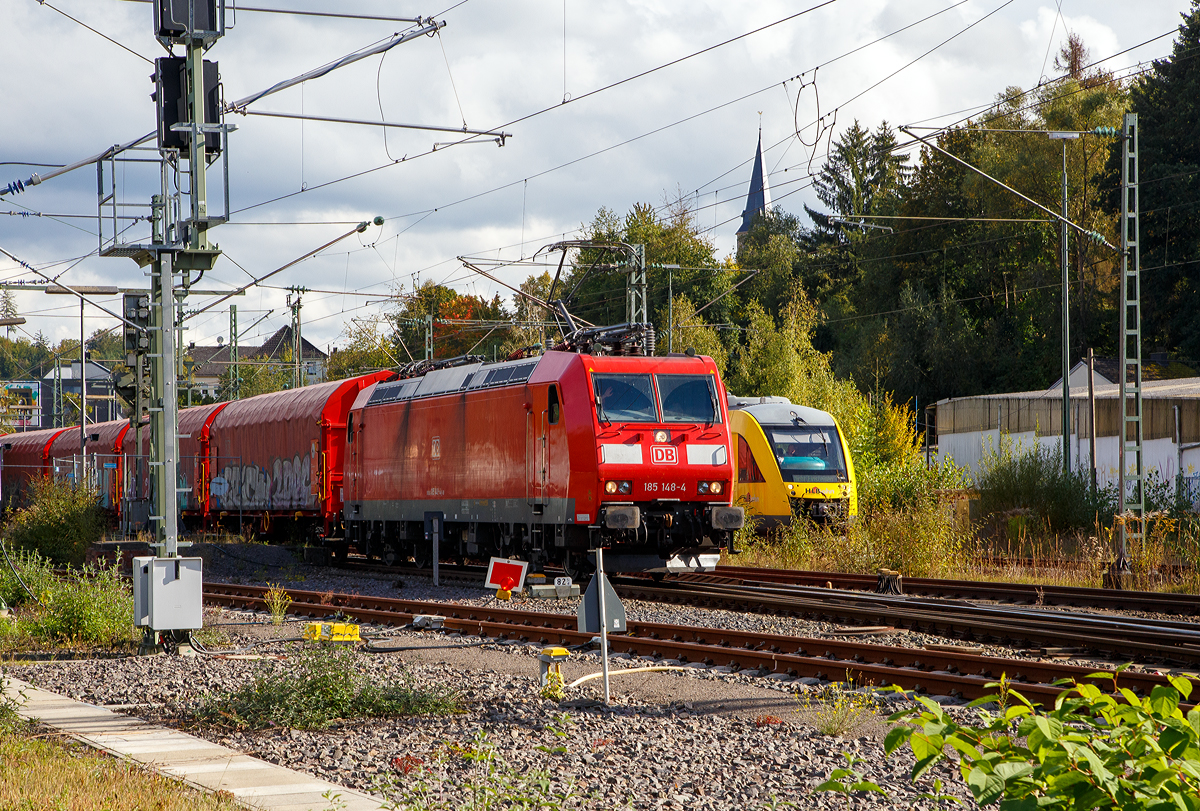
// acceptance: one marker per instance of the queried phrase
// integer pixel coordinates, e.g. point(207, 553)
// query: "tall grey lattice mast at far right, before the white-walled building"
point(1131, 494)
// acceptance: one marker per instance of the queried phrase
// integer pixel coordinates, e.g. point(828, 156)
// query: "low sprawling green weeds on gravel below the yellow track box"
point(321, 686)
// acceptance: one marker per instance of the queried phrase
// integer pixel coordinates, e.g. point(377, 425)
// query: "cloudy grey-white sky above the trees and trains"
point(686, 130)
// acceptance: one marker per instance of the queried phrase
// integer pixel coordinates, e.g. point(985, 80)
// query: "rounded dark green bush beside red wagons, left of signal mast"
point(61, 522)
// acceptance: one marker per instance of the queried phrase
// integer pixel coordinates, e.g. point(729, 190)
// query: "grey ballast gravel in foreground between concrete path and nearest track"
point(692, 740)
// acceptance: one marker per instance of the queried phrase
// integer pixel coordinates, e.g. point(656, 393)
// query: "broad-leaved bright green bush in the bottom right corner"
point(1094, 750)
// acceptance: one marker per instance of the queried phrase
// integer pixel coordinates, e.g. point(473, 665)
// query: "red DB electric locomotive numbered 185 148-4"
point(545, 459)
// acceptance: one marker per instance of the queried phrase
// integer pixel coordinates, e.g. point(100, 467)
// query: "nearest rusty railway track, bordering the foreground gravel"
point(935, 672)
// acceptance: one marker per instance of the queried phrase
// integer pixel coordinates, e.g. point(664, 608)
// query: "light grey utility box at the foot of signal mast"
point(169, 593)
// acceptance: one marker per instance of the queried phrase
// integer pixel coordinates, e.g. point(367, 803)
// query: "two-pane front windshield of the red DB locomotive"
point(632, 399)
